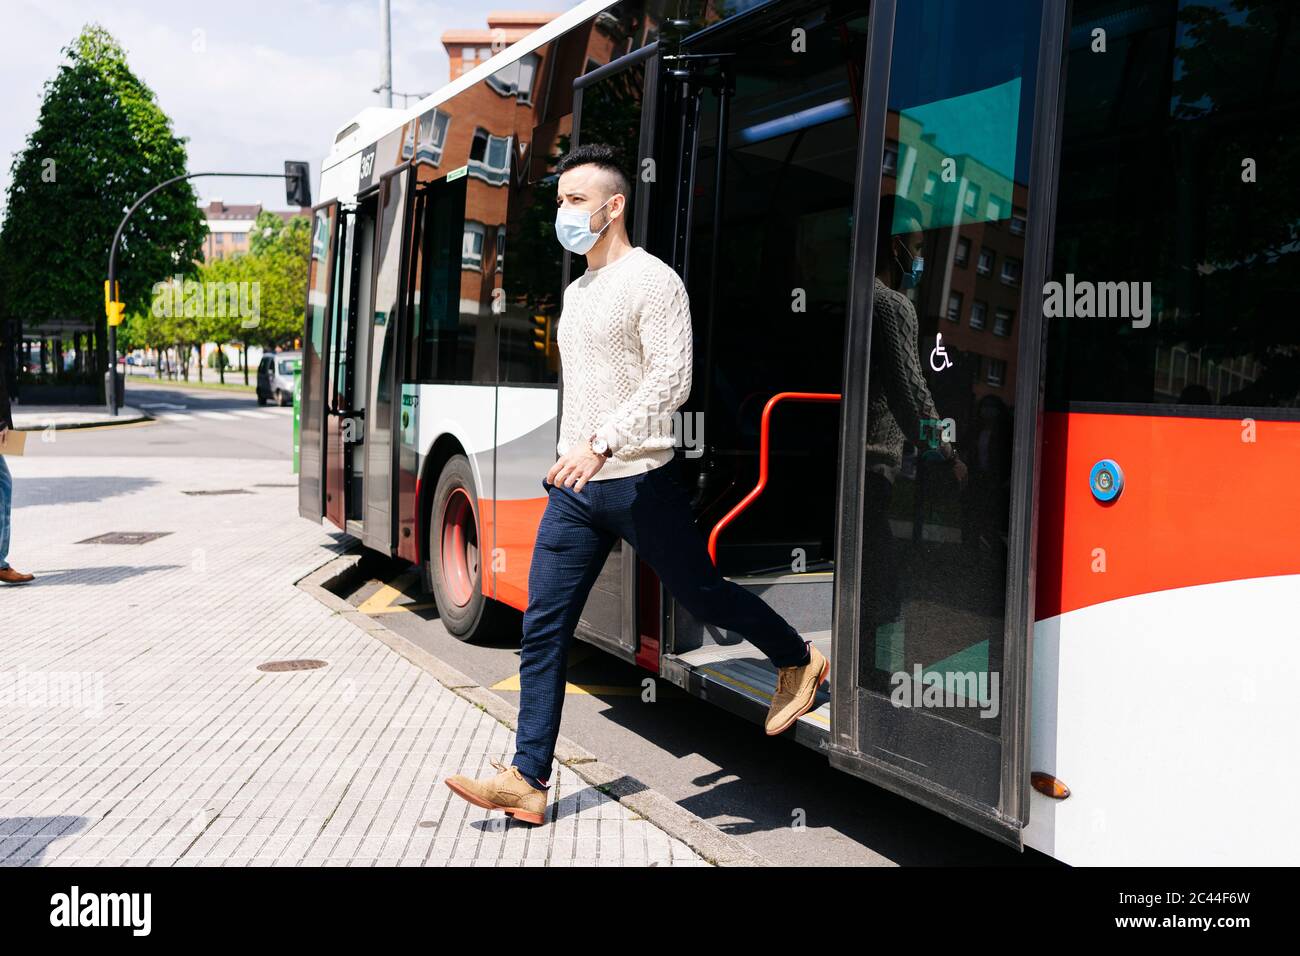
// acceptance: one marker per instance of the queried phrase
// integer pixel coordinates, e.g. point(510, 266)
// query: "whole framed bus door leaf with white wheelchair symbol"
point(942, 406)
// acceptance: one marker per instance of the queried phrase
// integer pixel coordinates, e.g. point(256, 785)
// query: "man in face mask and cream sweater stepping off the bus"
point(626, 345)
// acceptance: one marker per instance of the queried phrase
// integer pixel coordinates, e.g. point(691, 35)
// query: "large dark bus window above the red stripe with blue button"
point(1177, 214)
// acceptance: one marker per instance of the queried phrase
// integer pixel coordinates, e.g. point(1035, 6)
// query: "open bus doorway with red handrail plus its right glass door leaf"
point(794, 126)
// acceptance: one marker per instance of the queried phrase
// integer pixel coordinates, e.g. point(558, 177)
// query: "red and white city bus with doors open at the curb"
point(1084, 638)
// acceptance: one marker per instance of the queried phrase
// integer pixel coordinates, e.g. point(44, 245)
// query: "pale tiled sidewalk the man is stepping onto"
point(136, 728)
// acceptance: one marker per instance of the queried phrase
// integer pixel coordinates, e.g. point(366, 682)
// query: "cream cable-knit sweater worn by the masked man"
point(626, 349)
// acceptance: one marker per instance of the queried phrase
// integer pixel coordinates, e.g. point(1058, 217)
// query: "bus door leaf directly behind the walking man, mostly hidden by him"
point(614, 105)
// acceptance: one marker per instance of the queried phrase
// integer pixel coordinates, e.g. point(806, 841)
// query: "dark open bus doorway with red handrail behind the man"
point(759, 141)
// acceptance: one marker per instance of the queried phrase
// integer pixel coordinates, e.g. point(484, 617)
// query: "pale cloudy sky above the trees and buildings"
point(250, 83)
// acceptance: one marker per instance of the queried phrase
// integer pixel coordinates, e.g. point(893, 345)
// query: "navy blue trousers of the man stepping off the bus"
point(652, 512)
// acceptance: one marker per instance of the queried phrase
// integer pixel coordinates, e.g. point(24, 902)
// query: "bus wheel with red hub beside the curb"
point(456, 557)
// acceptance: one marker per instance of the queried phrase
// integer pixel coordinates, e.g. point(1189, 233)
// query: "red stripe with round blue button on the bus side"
point(1204, 501)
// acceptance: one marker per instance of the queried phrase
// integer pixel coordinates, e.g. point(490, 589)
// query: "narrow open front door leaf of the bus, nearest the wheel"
point(380, 366)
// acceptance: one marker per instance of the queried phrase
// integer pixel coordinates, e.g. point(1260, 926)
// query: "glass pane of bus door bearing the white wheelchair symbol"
point(942, 378)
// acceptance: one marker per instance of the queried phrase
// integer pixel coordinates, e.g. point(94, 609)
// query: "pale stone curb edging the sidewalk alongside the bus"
point(703, 837)
